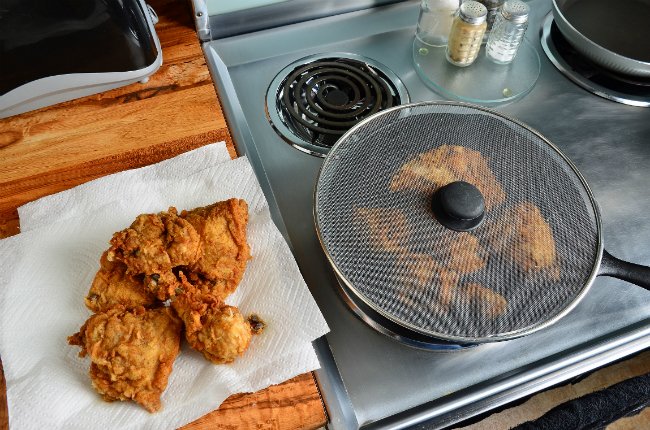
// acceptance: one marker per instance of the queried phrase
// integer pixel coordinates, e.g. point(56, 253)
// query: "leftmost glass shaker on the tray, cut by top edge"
point(435, 21)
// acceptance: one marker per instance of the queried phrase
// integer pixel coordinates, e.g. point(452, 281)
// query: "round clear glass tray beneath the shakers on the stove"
point(483, 82)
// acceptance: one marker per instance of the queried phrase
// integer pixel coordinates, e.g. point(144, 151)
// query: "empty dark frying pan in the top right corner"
point(613, 34)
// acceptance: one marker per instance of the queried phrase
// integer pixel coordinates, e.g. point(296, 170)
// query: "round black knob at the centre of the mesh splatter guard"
point(459, 206)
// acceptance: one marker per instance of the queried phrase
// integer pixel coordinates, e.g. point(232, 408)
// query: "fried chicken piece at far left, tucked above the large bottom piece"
point(112, 286)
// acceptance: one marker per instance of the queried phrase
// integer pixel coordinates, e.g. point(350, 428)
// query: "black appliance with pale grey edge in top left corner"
point(53, 51)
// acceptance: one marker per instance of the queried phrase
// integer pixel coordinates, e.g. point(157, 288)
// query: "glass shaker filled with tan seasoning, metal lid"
point(466, 33)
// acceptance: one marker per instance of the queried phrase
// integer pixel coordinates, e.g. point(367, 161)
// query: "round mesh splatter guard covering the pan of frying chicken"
point(523, 266)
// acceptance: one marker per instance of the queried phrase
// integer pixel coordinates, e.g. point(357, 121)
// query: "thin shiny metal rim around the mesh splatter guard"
point(444, 336)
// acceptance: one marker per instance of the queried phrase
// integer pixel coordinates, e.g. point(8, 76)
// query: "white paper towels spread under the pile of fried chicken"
point(47, 271)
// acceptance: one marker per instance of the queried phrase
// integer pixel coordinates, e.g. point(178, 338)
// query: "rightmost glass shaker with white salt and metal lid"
point(507, 32)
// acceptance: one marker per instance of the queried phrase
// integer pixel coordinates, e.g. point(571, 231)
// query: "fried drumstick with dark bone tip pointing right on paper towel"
point(216, 330)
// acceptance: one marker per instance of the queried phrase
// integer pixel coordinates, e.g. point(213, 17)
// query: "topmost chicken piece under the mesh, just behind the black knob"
point(434, 169)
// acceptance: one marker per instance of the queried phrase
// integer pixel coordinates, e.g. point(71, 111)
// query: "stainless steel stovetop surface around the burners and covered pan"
point(368, 379)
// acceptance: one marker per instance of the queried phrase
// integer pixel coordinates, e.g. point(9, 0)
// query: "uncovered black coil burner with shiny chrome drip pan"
point(315, 100)
